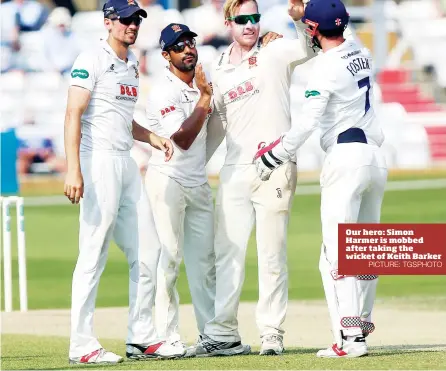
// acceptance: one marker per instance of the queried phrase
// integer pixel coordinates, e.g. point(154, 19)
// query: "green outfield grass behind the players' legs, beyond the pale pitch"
point(50, 261)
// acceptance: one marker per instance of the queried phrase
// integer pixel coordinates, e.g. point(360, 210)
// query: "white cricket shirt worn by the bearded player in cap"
point(171, 101)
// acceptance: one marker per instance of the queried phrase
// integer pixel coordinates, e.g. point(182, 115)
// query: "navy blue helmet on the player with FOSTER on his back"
point(330, 15)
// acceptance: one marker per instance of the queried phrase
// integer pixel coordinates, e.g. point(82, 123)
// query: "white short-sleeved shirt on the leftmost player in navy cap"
point(114, 87)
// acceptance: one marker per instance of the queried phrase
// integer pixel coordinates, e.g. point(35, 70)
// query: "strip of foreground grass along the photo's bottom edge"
point(51, 353)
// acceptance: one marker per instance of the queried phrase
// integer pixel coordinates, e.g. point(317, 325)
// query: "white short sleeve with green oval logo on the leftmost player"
point(84, 71)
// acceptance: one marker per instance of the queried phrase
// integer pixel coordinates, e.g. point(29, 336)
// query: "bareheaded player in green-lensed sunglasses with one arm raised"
point(251, 94)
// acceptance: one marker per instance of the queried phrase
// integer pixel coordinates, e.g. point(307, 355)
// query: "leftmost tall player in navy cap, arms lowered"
point(99, 133)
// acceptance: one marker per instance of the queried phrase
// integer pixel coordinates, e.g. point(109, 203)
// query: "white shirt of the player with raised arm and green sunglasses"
point(254, 96)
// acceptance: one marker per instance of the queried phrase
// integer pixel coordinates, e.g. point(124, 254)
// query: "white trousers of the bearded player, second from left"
point(184, 218)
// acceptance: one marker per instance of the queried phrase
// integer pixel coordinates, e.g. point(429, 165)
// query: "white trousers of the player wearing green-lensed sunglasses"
point(242, 200)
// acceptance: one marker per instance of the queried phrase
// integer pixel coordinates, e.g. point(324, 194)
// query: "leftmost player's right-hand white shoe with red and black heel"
point(160, 350)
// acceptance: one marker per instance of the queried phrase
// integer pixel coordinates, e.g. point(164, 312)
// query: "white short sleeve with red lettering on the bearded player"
point(164, 113)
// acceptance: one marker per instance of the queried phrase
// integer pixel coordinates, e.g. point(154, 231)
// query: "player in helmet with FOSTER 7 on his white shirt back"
point(339, 100)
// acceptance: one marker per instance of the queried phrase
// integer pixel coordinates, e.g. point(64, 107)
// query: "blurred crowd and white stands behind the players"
point(41, 39)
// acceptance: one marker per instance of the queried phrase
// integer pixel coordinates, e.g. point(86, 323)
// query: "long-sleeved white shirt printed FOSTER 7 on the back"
point(339, 96)
